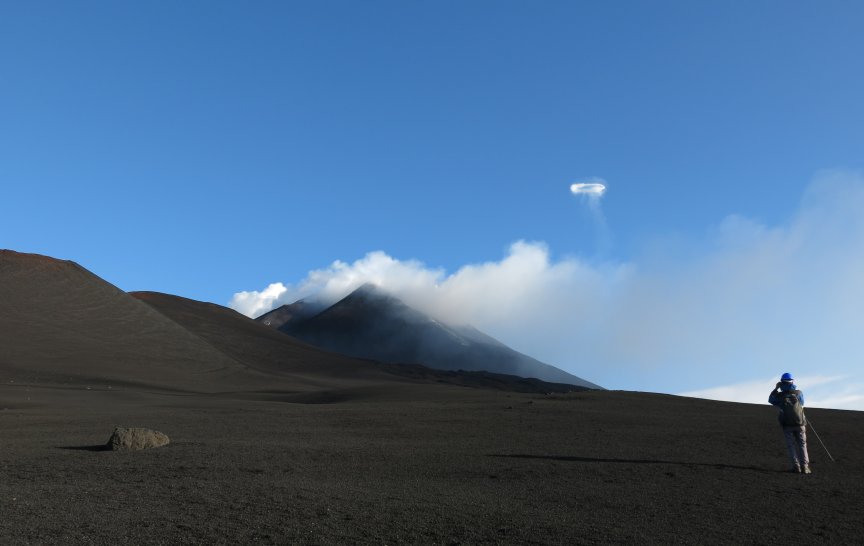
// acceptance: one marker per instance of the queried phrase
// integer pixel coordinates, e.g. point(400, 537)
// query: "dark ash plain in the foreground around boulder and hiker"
point(446, 466)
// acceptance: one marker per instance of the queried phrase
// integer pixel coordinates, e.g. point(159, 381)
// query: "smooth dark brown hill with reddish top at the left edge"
point(59, 323)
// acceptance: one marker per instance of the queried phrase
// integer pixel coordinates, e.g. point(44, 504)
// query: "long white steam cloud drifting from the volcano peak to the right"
point(721, 316)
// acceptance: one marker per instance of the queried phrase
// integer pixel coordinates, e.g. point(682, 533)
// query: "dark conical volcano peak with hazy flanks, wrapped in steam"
point(370, 323)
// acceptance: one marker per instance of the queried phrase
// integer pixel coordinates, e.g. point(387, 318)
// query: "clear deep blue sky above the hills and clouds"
point(204, 148)
